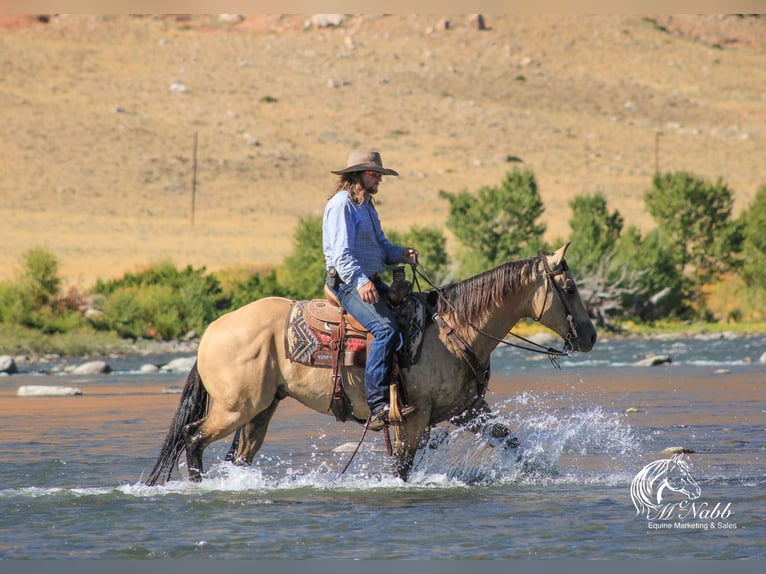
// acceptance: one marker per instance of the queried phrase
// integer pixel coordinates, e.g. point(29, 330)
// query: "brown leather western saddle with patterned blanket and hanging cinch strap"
point(320, 333)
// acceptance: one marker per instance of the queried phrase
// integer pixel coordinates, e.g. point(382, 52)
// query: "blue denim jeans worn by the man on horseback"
point(379, 320)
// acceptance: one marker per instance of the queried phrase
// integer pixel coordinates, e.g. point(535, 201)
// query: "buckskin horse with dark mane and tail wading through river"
point(242, 371)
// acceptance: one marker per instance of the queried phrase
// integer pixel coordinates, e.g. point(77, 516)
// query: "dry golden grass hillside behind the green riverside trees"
point(96, 149)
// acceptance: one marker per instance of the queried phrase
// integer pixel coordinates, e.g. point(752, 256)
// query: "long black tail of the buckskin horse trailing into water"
point(191, 408)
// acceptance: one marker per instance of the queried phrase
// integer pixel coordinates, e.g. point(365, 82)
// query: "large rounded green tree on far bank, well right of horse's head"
point(695, 217)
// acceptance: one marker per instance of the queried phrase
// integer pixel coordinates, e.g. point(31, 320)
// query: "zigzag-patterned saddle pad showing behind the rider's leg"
point(309, 346)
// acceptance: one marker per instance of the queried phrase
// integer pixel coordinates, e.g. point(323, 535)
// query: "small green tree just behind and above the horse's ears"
point(595, 232)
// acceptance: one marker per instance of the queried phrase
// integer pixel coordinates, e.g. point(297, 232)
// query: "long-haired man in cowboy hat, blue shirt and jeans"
point(356, 253)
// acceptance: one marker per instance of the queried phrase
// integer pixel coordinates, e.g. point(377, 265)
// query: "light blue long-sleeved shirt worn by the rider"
point(353, 241)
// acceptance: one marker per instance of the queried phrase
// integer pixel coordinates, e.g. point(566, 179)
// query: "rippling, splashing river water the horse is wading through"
point(71, 468)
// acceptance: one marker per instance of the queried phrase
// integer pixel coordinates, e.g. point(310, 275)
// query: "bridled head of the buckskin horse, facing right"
point(559, 307)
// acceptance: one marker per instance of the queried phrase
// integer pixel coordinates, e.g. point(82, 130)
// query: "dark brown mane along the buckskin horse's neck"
point(476, 297)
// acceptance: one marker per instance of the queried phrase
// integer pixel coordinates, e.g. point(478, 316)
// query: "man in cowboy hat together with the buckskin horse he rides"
point(245, 366)
